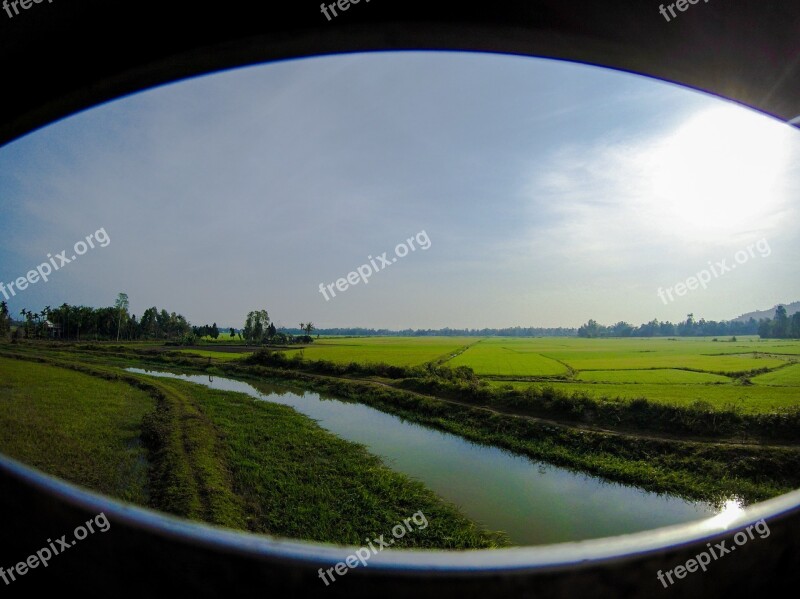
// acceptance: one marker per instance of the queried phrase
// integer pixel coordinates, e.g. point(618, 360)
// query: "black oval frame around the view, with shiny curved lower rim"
point(63, 57)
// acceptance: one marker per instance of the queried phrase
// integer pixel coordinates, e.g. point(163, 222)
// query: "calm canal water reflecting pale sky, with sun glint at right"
point(534, 503)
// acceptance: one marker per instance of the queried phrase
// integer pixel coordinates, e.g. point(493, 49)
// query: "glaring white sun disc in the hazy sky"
point(721, 170)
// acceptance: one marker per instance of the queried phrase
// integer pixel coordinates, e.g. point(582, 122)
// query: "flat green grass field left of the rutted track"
point(76, 427)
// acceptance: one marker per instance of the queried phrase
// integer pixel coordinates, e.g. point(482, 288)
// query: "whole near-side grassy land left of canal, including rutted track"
point(213, 456)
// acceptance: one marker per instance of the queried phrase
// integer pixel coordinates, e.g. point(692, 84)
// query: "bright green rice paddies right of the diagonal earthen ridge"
point(677, 371)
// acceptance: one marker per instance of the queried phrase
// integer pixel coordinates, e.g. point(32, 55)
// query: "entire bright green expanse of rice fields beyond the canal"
point(679, 371)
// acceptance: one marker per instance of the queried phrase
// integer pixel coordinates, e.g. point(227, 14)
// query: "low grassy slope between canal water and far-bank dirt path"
point(697, 471)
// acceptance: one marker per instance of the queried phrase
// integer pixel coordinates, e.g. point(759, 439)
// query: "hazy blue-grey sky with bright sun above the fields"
point(551, 192)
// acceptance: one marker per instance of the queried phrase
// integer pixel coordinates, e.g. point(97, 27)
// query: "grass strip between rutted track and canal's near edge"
point(299, 481)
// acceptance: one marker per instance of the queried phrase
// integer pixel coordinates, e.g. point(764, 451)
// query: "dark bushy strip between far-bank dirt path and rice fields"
point(567, 402)
